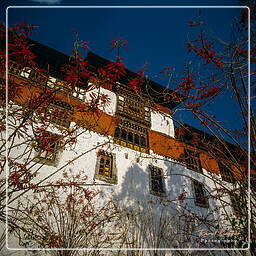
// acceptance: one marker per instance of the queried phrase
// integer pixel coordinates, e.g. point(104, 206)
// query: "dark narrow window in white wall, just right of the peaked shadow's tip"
point(157, 184)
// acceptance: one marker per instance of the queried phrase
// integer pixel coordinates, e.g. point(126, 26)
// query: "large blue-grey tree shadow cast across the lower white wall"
point(163, 222)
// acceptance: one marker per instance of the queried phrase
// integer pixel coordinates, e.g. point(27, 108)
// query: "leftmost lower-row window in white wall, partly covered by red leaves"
point(47, 147)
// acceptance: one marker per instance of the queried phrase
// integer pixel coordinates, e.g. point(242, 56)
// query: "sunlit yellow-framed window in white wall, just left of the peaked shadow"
point(105, 167)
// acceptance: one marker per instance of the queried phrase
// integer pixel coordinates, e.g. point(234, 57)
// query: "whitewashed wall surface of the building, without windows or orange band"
point(132, 190)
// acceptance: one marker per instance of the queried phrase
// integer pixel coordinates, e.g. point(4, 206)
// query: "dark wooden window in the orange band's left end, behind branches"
point(60, 113)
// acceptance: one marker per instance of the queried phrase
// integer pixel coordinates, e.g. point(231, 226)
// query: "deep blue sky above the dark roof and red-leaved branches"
point(156, 35)
